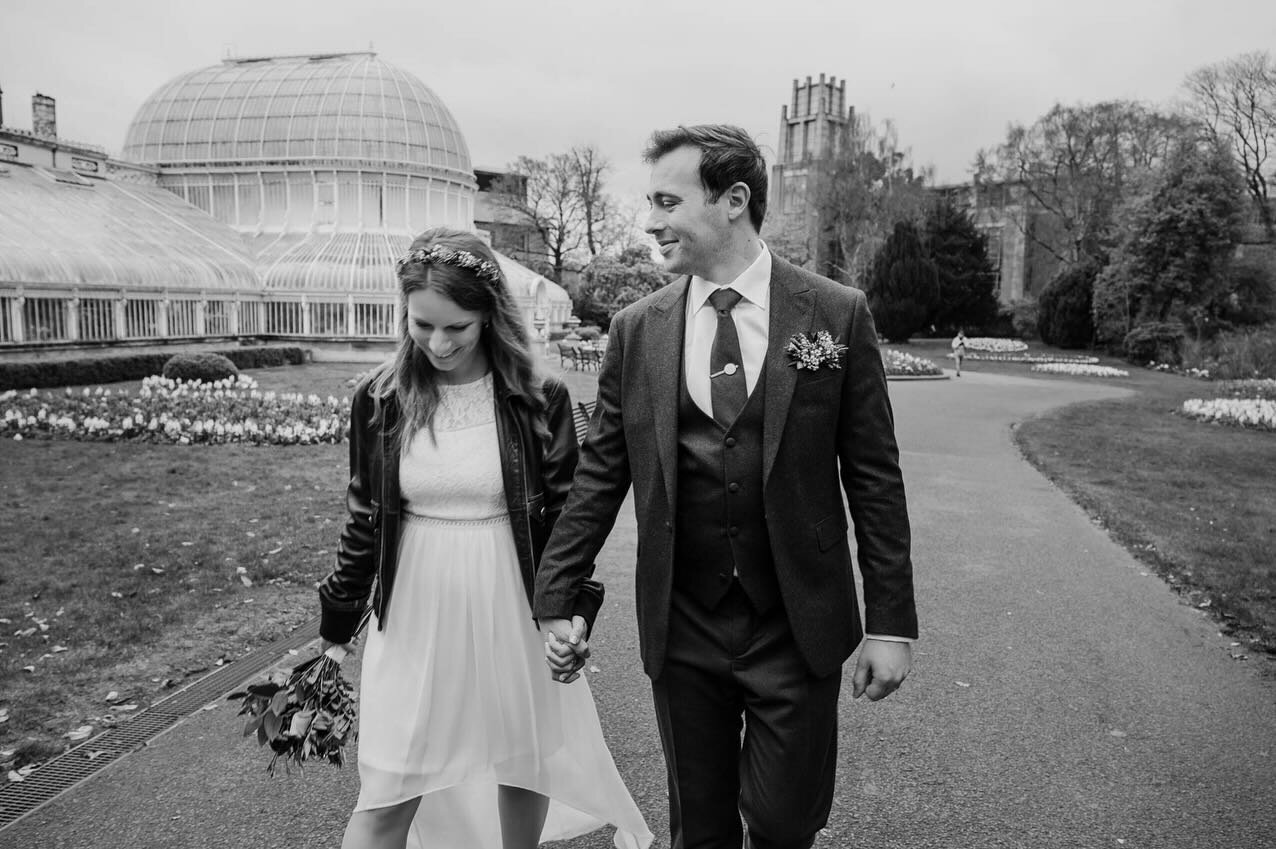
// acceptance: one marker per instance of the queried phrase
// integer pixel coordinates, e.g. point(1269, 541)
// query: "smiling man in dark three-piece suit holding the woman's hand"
point(747, 605)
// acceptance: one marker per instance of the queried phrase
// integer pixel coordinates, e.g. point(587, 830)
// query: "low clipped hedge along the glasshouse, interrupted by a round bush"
point(135, 367)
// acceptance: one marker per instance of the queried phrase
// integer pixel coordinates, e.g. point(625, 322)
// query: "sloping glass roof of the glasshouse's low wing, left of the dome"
point(62, 230)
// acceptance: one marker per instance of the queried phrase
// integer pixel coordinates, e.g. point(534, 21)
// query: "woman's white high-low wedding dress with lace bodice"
point(456, 698)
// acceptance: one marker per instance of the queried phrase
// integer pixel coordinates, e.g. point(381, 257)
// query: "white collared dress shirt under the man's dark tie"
point(752, 324)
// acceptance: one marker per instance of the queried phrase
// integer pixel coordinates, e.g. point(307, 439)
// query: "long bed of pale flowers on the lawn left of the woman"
point(177, 412)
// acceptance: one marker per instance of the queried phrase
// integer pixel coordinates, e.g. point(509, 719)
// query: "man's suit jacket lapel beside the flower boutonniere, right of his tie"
point(793, 311)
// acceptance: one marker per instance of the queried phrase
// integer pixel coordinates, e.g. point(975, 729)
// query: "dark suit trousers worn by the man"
point(729, 668)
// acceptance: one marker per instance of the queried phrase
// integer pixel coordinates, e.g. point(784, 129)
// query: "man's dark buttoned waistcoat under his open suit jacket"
point(722, 528)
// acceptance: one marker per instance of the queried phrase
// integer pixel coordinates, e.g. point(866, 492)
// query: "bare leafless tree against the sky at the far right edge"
point(1236, 100)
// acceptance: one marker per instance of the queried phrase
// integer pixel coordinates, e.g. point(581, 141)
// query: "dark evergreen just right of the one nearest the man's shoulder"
point(968, 282)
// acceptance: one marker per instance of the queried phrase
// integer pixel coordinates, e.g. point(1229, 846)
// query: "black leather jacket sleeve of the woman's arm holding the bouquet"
point(344, 594)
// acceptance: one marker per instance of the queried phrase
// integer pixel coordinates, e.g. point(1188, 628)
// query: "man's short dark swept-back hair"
point(728, 156)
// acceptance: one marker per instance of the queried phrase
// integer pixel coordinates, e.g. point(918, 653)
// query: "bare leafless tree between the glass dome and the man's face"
point(548, 196)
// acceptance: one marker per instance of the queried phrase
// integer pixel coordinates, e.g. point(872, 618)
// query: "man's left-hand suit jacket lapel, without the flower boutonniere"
point(663, 349)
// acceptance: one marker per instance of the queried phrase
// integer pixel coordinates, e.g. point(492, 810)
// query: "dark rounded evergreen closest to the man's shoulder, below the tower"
point(903, 285)
